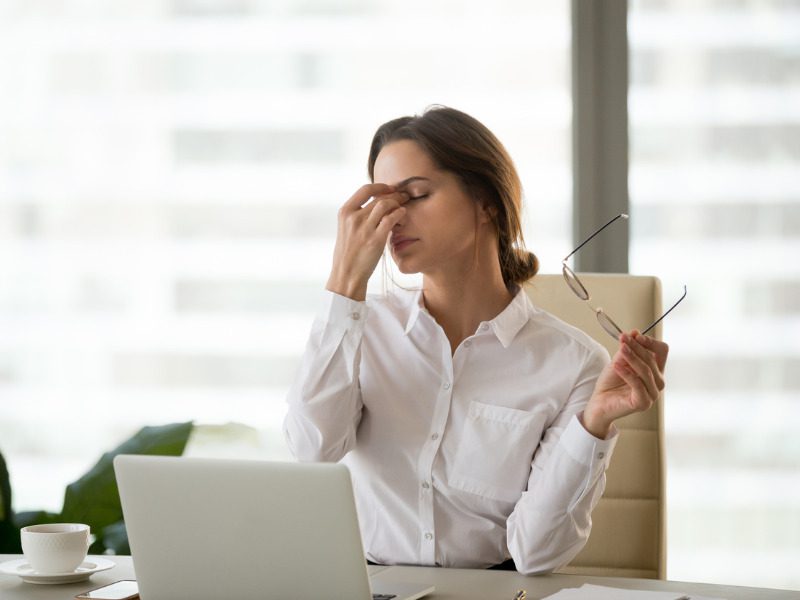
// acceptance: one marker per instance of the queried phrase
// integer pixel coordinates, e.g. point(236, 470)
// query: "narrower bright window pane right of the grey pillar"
point(715, 203)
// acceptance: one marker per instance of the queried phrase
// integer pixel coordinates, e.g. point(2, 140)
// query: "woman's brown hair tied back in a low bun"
point(462, 145)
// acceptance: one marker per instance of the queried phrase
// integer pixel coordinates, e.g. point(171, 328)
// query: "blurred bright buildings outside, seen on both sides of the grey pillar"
point(170, 172)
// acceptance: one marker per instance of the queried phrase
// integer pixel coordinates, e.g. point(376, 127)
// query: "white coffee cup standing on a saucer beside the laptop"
point(55, 548)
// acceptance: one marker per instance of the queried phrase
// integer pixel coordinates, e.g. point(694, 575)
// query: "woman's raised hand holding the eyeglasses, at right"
point(630, 383)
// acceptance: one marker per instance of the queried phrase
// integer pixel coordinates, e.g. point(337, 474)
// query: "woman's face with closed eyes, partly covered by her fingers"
point(441, 222)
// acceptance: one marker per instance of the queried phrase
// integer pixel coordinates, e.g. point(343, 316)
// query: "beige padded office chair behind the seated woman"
point(628, 531)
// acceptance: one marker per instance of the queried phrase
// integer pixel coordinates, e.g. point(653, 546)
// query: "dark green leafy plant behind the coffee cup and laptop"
point(94, 499)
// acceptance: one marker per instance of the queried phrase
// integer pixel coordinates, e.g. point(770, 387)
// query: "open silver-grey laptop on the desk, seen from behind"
point(210, 528)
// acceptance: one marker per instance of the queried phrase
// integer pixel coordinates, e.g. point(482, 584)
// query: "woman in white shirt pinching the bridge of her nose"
point(477, 427)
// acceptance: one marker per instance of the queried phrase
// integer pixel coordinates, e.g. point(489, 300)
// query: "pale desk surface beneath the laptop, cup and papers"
point(451, 584)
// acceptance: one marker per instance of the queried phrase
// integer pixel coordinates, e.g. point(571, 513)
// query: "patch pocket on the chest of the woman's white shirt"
point(495, 451)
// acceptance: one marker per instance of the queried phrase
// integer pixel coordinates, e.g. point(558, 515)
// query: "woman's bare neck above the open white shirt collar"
point(460, 301)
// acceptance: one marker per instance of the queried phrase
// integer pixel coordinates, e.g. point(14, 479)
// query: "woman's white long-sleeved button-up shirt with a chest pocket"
point(458, 459)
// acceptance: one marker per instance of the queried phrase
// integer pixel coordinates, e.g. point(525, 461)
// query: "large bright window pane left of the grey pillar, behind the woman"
point(170, 172)
